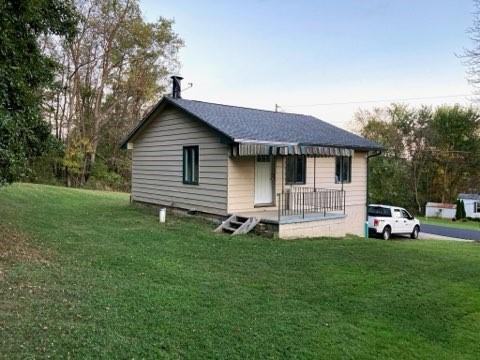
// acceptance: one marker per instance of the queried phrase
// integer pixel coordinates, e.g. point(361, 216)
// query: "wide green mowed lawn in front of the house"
point(87, 275)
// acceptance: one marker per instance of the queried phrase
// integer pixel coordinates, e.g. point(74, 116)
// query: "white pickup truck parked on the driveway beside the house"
point(388, 220)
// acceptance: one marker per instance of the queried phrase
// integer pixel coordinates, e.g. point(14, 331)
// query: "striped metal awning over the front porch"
point(251, 148)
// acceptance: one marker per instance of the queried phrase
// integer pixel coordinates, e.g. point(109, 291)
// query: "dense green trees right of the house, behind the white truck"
point(431, 155)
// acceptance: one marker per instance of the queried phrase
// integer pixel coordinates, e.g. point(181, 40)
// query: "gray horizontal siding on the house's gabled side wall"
point(157, 164)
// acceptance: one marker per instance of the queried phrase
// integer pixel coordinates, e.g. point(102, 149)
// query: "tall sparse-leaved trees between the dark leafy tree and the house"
point(113, 70)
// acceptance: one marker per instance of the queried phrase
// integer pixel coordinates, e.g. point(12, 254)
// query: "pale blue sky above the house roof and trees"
point(312, 57)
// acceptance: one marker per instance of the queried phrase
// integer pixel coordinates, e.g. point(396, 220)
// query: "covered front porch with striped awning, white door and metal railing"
point(285, 183)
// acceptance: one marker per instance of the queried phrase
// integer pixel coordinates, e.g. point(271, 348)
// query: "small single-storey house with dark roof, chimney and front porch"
point(295, 173)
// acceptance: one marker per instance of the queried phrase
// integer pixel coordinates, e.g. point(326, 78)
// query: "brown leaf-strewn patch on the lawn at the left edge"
point(15, 247)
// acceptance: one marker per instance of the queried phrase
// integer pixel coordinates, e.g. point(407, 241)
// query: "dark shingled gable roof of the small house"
point(239, 123)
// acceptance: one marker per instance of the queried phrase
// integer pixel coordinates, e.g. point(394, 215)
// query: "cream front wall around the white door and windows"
point(241, 185)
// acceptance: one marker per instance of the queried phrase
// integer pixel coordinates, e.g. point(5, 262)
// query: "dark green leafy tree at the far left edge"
point(25, 71)
